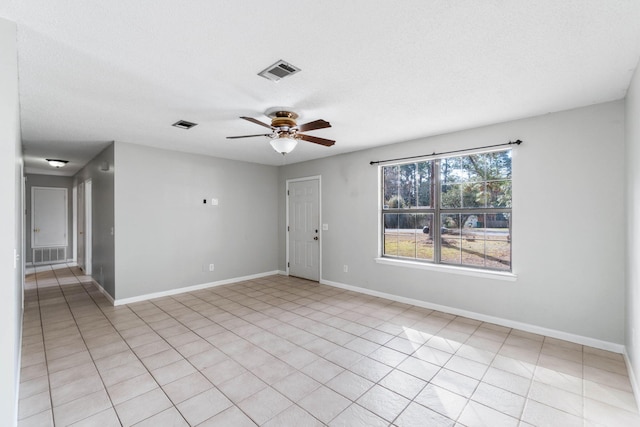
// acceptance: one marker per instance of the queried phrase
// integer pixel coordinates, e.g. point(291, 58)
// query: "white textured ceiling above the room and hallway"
point(381, 72)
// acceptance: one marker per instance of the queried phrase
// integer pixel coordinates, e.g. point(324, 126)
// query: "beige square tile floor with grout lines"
point(281, 351)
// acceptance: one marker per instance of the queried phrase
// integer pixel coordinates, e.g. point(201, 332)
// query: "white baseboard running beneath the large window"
point(578, 339)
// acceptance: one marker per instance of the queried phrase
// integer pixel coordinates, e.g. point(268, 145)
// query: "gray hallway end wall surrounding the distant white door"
point(49, 181)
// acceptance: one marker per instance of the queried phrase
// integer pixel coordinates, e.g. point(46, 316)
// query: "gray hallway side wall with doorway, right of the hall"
point(102, 217)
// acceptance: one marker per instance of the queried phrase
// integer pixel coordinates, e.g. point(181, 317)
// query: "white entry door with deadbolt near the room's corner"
point(304, 229)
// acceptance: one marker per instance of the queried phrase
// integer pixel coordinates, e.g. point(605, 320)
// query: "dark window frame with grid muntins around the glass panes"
point(437, 213)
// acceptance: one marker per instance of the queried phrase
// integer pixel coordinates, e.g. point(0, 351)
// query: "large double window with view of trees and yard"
point(454, 211)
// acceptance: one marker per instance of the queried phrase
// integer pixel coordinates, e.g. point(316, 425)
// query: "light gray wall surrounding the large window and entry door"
point(570, 272)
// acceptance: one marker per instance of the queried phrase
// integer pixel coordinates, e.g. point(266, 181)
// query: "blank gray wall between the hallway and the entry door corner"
point(165, 237)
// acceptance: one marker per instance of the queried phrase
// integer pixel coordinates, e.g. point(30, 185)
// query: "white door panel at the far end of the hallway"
point(48, 217)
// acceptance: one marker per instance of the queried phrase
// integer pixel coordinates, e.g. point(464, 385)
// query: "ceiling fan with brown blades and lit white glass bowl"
point(286, 132)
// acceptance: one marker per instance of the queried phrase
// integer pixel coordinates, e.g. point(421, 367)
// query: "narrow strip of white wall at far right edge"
point(632, 128)
